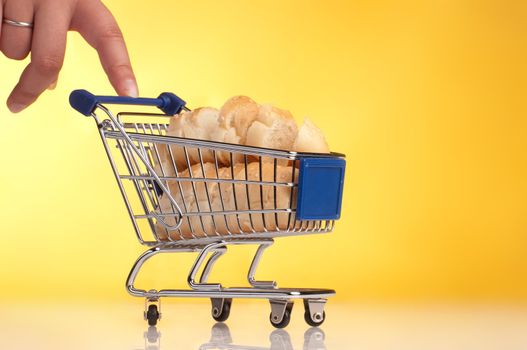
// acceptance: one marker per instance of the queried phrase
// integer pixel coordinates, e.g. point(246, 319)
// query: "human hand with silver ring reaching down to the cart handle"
point(46, 43)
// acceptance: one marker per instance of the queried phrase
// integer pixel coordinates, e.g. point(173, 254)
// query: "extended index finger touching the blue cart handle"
point(98, 27)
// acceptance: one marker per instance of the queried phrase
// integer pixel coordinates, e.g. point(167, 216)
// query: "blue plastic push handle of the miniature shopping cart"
point(86, 102)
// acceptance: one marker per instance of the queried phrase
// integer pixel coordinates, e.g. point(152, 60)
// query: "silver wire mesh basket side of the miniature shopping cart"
point(221, 192)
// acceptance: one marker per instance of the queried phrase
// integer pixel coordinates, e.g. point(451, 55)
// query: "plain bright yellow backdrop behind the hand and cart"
point(426, 98)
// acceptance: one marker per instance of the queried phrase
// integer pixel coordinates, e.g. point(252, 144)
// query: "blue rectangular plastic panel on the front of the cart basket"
point(320, 186)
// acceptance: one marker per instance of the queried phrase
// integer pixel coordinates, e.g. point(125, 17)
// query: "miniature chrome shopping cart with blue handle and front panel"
point(134, 143)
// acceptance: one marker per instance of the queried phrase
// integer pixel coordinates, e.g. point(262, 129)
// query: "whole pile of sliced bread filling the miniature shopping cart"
point(218, 208)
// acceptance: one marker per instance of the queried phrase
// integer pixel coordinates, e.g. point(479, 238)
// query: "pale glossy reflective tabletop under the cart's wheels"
point(188, 325)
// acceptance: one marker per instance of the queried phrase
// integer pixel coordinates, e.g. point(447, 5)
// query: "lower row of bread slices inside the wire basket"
point(220, 198)
